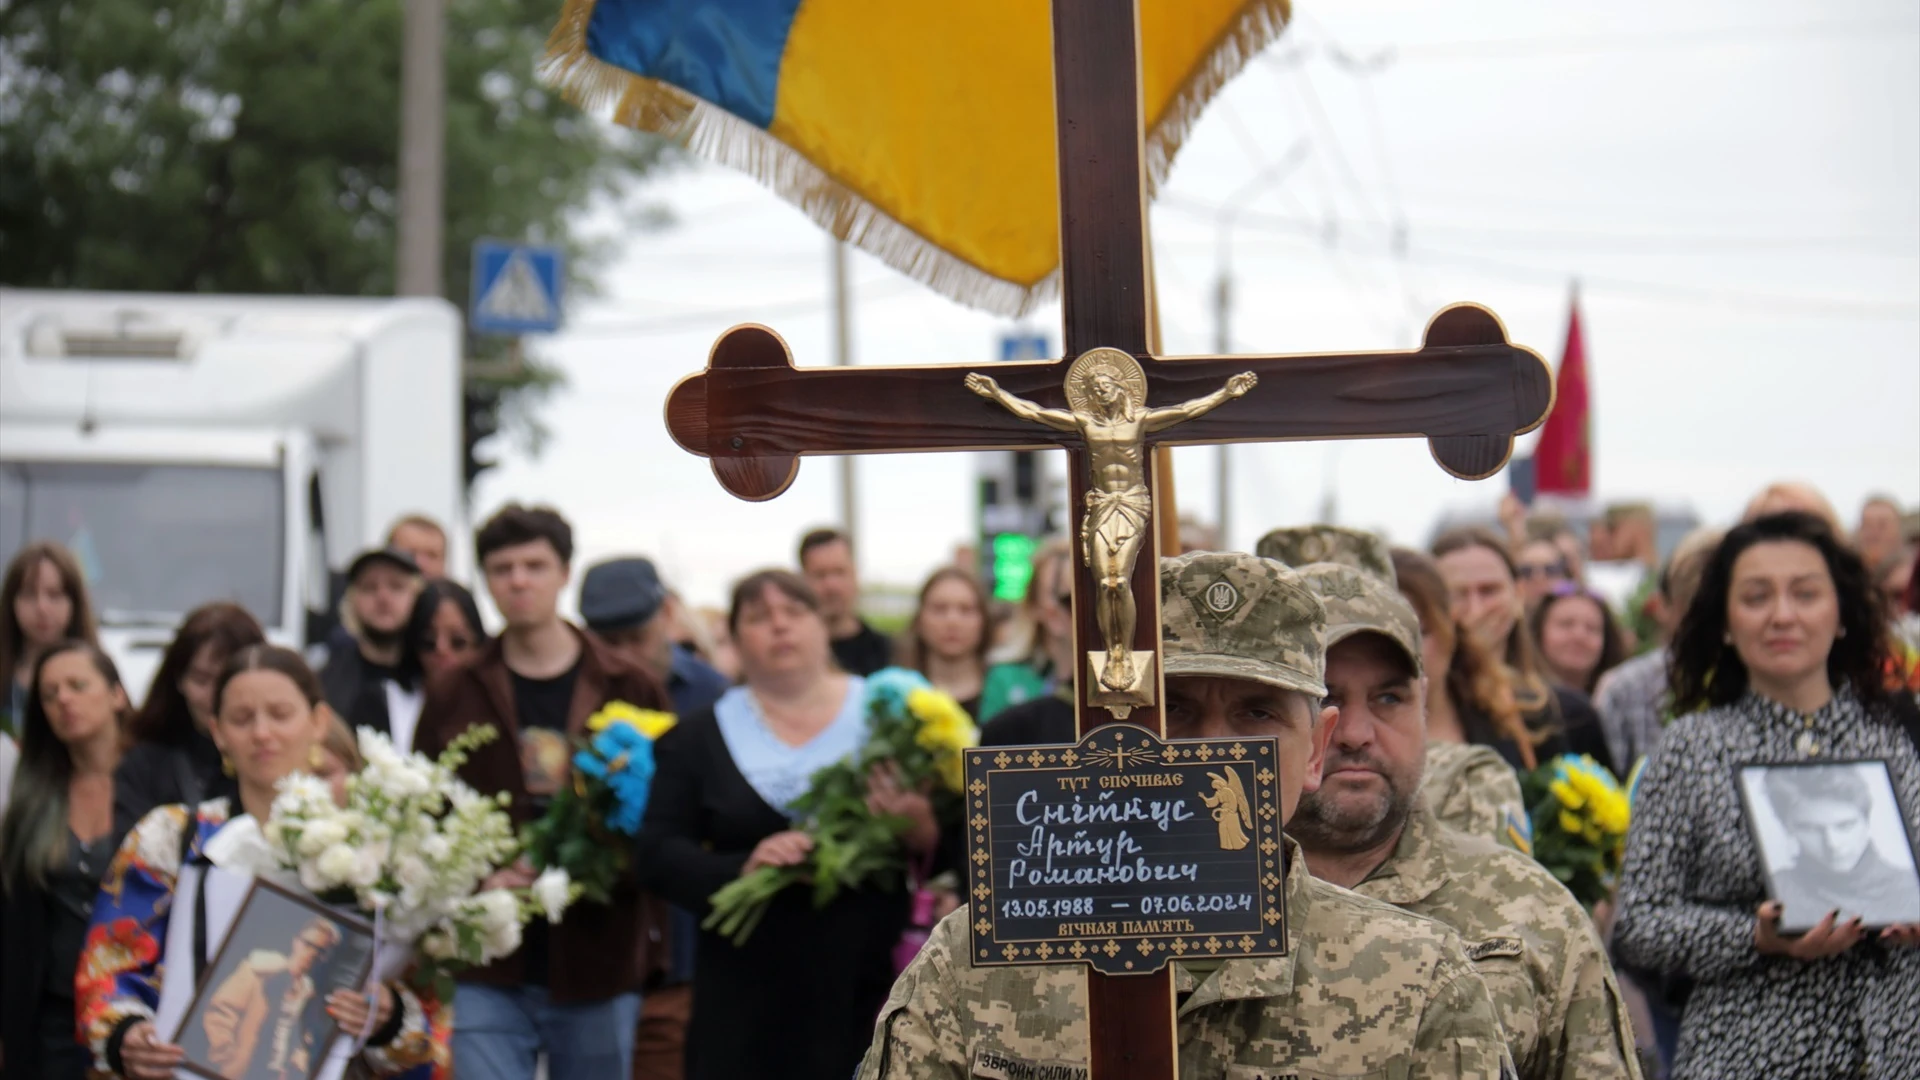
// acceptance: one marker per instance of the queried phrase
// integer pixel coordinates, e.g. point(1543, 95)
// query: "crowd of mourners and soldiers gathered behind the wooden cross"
point(1410, 693)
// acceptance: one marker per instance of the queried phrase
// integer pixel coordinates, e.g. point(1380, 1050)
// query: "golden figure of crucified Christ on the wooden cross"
point(1107, 397)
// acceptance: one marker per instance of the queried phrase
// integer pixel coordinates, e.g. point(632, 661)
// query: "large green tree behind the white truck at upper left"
point(254, 147)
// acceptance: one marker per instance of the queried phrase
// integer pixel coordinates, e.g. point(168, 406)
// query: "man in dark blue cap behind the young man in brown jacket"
point(629, 608)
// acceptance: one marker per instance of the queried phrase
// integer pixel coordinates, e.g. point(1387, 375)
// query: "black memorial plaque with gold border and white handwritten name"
point(1124, 852)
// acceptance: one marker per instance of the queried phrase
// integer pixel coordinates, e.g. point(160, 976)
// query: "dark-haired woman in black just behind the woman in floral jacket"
point(174, 758)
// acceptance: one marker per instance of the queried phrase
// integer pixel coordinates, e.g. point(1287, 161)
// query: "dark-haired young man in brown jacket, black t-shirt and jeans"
point(571, 991)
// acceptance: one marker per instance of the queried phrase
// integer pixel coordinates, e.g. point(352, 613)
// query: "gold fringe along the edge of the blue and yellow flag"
point(713, 134)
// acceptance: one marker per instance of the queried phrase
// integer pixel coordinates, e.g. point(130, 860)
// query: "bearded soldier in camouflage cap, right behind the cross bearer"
point(1368, 829)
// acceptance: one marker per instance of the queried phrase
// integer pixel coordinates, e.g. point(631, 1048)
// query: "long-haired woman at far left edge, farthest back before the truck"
point(43, 602)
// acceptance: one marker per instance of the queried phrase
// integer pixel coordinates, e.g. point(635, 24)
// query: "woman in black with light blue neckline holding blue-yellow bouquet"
point(798, 1000)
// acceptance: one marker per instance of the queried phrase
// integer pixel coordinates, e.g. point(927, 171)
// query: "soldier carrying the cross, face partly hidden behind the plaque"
point(1364, 989)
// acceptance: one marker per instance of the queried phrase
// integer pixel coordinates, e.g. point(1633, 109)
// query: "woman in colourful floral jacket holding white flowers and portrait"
point(270, 722)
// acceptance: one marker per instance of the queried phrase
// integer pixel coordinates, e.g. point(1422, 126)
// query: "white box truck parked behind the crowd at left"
point(193, 449)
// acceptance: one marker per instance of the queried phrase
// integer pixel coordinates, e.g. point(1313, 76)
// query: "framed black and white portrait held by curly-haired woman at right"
point(1833, 839)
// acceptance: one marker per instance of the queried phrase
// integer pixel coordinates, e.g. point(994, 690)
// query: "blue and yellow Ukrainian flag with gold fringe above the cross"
point(919, 130)
